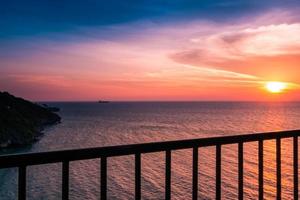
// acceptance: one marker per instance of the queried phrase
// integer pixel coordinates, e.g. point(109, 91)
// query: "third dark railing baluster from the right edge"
point(261, 169)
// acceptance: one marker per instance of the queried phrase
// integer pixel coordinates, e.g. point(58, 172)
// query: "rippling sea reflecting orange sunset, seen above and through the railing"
point(93, 125)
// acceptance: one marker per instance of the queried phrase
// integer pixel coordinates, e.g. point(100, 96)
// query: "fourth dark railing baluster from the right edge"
point(241, 170)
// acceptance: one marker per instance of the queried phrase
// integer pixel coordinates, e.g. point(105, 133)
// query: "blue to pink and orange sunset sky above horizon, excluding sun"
point(155, 50)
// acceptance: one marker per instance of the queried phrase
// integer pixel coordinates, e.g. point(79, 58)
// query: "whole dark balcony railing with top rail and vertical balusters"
point(21, 161)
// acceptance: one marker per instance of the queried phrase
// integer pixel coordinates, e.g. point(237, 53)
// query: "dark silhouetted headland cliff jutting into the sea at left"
point(22, 121)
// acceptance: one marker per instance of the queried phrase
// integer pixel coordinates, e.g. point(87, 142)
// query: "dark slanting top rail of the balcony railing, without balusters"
point(16, 160)
